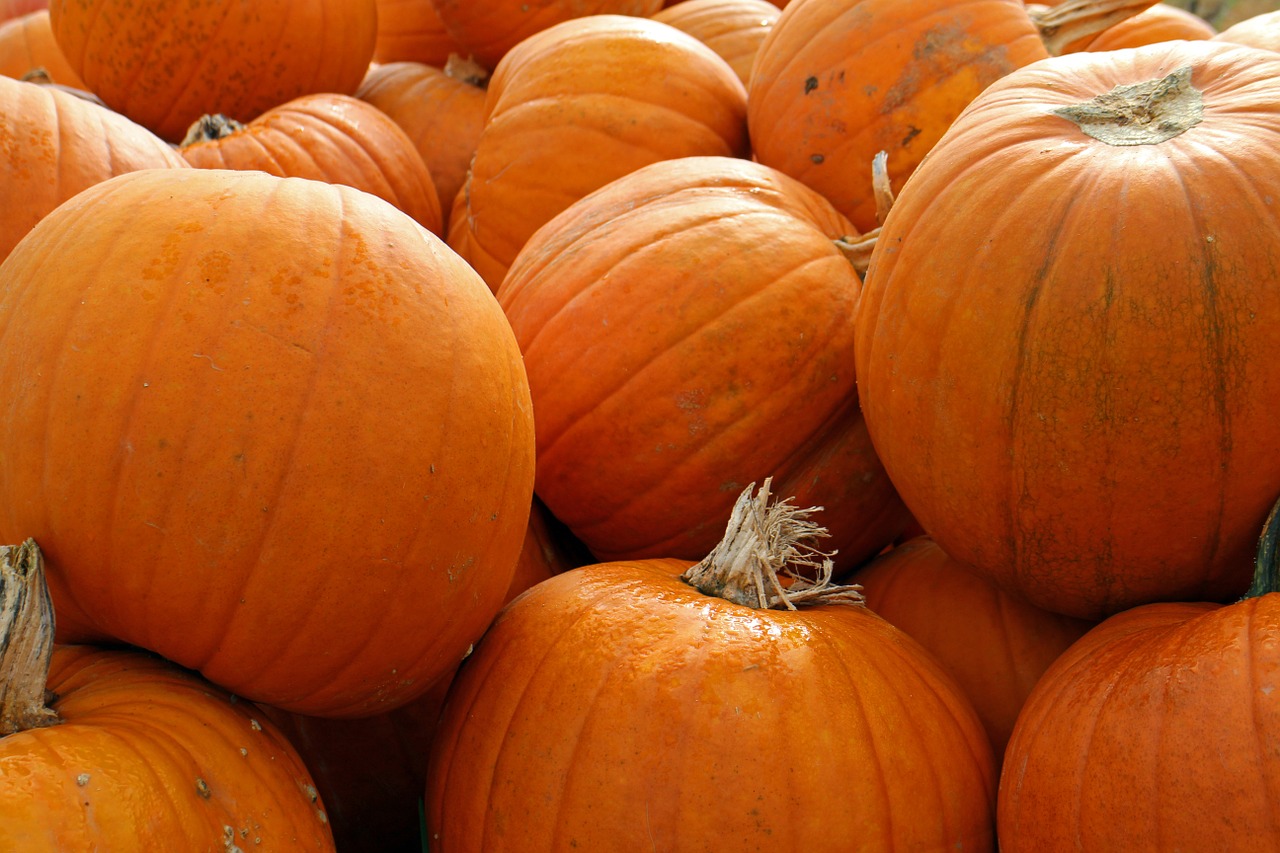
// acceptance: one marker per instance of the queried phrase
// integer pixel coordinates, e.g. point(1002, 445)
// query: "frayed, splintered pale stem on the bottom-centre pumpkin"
point(762, 546)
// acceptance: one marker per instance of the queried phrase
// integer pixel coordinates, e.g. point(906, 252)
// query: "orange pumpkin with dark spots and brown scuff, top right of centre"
point(839, 81)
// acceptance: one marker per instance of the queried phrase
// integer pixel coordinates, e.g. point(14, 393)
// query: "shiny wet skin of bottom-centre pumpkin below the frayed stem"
point(615, 708)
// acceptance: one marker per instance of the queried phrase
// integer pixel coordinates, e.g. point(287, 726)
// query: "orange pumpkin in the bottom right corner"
point(1156, 732)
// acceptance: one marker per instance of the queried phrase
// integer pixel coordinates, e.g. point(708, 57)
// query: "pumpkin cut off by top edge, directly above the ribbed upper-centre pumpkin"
point(488, 30)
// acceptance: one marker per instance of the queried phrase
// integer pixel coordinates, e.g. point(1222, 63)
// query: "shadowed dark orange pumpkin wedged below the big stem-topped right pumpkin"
point(994, 645)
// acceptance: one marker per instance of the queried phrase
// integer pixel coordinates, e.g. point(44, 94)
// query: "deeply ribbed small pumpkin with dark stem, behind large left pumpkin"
point(326, 138)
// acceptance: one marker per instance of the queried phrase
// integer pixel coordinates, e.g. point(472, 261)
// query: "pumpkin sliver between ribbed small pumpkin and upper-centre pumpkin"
point(440, 110)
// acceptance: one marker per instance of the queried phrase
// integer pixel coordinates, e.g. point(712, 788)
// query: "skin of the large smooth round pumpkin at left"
point(222, 431)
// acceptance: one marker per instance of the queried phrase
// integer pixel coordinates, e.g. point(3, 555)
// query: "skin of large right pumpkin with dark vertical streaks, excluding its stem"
point(1076, 410)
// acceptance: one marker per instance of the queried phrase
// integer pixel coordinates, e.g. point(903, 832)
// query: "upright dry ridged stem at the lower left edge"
point(26, 640)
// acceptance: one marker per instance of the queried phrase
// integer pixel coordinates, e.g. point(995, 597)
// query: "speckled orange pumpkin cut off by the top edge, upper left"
point(164, 66)
